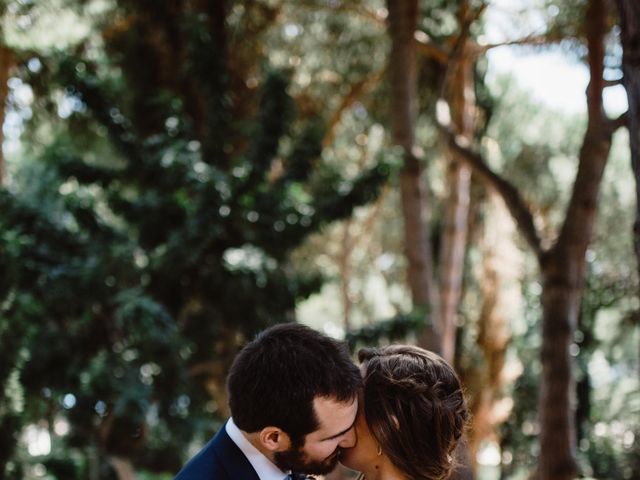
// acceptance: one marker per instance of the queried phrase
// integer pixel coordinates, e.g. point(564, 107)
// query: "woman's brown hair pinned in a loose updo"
point(414, 407)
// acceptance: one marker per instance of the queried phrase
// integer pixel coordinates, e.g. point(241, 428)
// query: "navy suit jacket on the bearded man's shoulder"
point(220, 459)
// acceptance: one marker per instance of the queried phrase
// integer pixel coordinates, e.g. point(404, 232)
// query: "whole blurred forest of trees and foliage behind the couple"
point(179, 174)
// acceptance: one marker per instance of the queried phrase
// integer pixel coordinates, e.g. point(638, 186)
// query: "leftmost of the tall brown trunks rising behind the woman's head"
point(402, 20)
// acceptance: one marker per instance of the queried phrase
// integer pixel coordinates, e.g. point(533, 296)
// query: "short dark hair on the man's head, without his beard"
point(275, 378)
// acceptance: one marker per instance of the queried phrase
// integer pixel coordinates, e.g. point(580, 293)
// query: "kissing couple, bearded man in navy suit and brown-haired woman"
point(299, 406)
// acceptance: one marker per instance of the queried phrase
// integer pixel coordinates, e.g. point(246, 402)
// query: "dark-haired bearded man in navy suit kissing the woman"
point(293, 401)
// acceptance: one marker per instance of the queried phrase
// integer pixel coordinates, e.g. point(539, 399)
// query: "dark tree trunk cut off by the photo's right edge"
point(630, 32)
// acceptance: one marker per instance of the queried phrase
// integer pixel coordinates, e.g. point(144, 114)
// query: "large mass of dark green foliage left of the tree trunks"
point(134, 273)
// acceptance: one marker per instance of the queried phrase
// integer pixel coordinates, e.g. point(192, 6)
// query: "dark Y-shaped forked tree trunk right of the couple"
point(563, 265)
